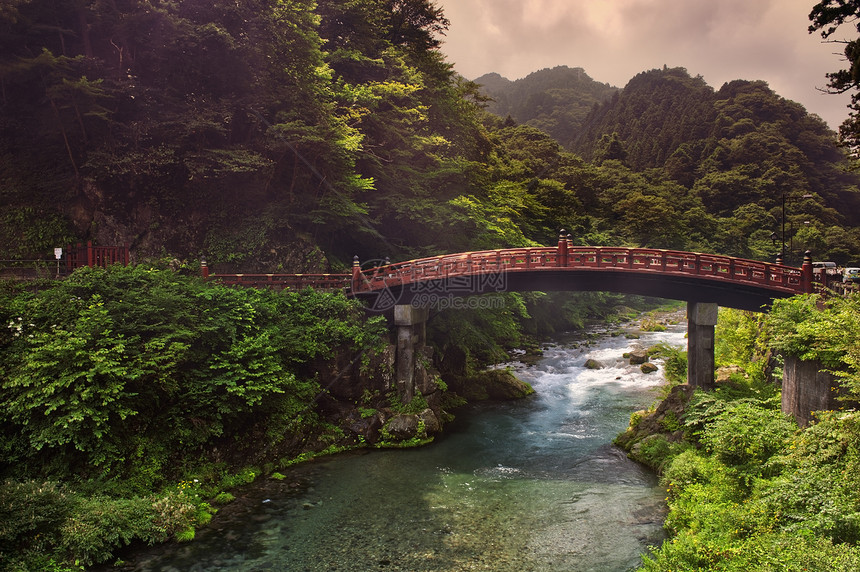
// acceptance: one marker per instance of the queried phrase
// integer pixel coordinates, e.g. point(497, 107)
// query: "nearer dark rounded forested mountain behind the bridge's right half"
point(736, 152)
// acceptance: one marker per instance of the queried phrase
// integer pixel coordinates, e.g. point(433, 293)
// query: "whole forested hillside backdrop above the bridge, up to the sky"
point(291, 134)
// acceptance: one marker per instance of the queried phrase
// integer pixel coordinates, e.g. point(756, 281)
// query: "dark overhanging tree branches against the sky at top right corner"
point(827, 16)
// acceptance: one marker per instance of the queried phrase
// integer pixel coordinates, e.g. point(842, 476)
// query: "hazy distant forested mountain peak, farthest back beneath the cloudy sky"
point(554, 100)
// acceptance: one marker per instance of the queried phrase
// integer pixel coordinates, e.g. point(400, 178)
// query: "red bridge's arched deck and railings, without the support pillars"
point(678, 275)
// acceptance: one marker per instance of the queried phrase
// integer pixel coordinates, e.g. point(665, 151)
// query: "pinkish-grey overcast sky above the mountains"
point(613, 40)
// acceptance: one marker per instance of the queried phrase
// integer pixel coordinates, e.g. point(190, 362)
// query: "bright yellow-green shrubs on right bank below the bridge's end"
point(757, 493)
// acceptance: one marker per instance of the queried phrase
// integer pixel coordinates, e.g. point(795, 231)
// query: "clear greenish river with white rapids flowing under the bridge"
point(532, 485)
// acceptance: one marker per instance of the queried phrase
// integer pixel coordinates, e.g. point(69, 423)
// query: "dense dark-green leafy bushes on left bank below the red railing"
point(111, 368)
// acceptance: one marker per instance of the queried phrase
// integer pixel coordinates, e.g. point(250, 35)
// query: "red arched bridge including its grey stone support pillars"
point(704, 281)
